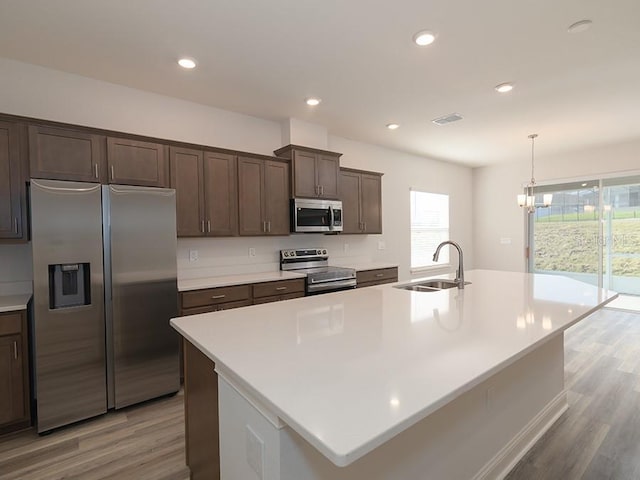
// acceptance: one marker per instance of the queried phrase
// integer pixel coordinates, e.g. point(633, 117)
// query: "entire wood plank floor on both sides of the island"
point(598, 438)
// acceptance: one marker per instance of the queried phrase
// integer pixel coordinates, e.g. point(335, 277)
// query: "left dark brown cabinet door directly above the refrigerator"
point(65, 154)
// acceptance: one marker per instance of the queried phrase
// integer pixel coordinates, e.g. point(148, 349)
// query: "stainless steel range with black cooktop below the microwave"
point(314, 263)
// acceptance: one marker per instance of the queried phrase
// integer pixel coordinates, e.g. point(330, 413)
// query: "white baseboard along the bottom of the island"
point(502, 463)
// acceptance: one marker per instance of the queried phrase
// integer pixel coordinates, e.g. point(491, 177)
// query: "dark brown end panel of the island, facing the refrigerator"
point(201, 414)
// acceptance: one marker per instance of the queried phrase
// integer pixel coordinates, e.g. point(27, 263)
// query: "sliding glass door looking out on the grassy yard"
point(591, 233)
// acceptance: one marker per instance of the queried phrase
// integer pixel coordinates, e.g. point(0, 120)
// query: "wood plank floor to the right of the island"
point(598, 438)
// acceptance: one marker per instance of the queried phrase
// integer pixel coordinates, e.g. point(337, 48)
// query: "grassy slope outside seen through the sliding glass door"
point(572, 246)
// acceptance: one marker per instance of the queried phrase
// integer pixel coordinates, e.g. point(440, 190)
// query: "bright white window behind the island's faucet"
point(429, 227)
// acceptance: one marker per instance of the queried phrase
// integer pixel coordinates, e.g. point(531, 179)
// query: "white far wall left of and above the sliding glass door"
point(495, 211)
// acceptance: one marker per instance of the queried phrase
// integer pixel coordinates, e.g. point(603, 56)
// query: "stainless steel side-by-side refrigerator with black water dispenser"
point(105, 287)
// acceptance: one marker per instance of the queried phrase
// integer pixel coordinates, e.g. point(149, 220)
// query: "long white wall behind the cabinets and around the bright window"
point(38, 92)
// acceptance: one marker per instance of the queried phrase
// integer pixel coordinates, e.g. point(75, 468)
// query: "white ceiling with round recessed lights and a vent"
point(263, 57)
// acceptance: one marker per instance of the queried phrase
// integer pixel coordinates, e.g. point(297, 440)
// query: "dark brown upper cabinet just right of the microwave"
point(361, 201)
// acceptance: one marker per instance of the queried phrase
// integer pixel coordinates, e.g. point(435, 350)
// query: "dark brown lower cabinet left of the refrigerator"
point(14, 372)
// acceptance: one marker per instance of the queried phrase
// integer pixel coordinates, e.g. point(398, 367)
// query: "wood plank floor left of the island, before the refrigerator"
point(144, 442)
